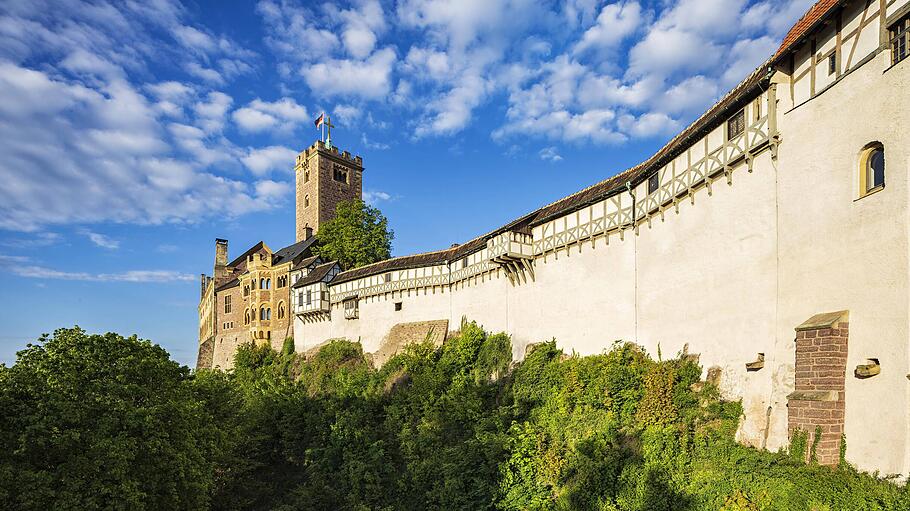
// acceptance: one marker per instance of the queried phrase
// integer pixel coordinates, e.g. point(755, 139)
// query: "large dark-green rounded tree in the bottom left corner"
point(103, 422)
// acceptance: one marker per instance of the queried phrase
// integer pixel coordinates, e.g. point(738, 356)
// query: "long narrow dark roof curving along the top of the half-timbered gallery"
point(746, 91)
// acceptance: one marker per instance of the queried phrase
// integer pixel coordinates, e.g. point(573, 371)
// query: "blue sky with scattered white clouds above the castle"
point(134, 133)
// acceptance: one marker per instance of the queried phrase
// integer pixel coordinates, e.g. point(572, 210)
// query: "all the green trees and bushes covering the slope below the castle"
point(435, 428)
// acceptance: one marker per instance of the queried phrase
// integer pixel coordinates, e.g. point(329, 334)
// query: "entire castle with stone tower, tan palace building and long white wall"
point(770, 238)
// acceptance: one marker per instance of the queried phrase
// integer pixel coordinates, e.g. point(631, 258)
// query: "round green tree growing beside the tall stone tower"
point(358, 235)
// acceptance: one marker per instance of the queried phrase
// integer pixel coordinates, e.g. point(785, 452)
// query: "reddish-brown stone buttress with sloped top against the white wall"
point(817, 402)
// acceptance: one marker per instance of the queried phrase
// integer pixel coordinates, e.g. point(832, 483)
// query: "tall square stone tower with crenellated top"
point(325, 177)
